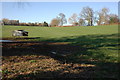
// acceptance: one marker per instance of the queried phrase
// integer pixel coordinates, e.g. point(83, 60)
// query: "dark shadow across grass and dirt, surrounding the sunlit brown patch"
point(99, 50)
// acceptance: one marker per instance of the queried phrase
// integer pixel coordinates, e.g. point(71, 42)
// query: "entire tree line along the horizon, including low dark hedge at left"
point(87, 17)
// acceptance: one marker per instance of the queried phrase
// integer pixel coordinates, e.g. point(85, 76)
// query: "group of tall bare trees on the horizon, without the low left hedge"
point(88, 17)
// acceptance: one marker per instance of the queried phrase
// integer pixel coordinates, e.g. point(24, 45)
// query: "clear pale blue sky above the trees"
point(46, 11)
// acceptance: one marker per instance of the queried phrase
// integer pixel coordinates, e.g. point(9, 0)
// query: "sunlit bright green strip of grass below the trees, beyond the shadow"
point(59, 32)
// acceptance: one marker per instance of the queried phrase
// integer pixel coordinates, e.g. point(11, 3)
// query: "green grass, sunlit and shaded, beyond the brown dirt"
point(95, 40)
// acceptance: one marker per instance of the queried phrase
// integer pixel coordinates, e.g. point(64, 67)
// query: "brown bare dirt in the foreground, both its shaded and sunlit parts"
point(34, 60)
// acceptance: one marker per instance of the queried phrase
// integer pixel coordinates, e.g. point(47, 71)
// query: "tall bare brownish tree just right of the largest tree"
point(103, 17)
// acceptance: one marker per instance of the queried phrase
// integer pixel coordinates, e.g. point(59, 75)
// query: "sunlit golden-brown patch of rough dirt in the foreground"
point(42, 67)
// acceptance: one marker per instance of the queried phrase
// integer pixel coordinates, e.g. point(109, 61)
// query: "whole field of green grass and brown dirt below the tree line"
point(62, 52)
